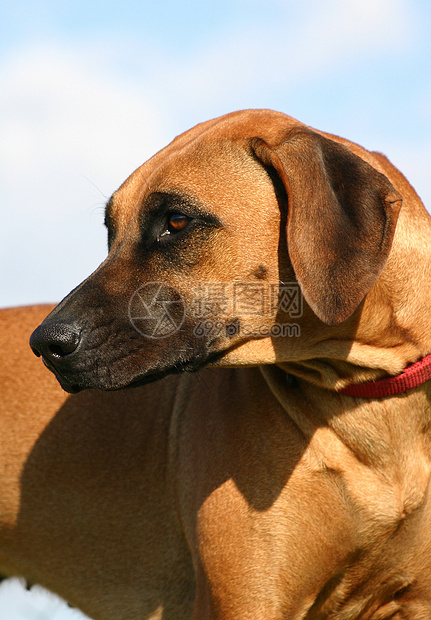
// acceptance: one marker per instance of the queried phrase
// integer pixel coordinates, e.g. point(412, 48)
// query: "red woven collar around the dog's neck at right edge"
point(413, 376)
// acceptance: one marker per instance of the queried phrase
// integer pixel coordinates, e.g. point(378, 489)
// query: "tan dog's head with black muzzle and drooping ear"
point(214, 244)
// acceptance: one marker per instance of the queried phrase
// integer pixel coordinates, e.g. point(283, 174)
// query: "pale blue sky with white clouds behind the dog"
point(90, 90)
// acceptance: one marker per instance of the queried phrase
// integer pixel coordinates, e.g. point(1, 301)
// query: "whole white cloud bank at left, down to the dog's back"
point(62, 128)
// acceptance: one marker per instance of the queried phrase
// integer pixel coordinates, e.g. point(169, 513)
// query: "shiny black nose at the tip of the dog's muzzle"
point(54, 340)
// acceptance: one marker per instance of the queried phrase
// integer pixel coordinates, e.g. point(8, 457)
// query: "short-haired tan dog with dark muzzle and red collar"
point(261, 492)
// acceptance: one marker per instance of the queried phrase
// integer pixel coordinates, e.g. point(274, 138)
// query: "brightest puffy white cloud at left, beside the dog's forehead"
point(53, 109)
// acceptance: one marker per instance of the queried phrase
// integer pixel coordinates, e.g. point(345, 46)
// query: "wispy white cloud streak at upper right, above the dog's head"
point(317, 38)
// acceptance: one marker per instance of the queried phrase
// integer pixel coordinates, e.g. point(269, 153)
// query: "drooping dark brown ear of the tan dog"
point(341, 219)
